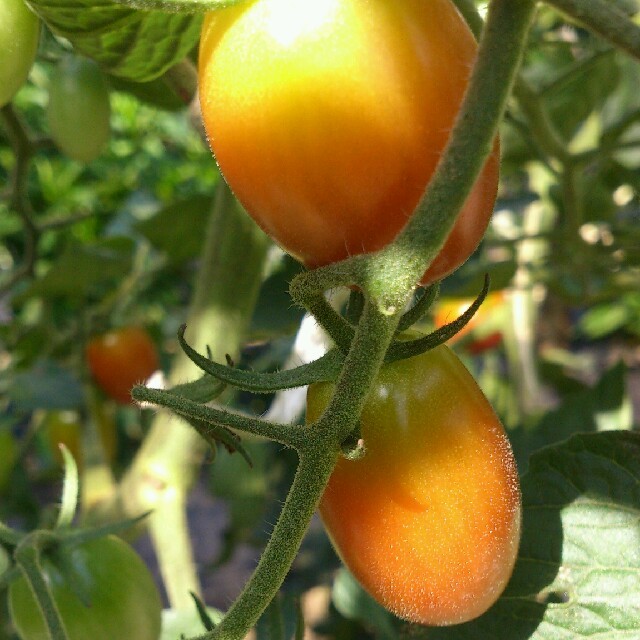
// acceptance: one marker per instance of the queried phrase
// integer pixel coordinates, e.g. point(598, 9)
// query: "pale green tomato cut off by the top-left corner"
point(19, 34)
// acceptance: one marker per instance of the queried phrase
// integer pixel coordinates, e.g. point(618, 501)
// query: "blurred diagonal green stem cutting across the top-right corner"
point(605, 19)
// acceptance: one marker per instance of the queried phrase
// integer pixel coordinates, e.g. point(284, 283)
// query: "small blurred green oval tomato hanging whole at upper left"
point(78, 110)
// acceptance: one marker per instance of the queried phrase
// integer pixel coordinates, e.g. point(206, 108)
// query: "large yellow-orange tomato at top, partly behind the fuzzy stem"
point(327, 119)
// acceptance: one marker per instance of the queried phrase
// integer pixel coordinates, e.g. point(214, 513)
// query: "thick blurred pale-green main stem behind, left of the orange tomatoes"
point(168, 461)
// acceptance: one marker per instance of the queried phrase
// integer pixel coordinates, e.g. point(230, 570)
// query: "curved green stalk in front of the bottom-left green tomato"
point(27, 556)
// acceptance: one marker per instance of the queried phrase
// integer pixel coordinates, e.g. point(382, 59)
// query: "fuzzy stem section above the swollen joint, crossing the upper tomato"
point(499, 55)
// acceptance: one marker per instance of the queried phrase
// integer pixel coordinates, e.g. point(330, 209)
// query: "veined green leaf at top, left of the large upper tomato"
point(131, 44)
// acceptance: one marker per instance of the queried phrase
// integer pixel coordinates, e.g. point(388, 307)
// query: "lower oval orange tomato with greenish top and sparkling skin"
point(429, 519)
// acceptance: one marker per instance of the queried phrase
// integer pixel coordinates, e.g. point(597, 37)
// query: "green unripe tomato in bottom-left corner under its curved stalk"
point(123, 598)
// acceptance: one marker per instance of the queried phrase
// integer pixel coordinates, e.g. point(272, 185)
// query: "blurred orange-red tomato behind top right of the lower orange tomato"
point(484, 331)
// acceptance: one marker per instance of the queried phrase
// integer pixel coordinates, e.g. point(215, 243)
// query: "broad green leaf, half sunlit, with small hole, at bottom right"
point(578, 568)
